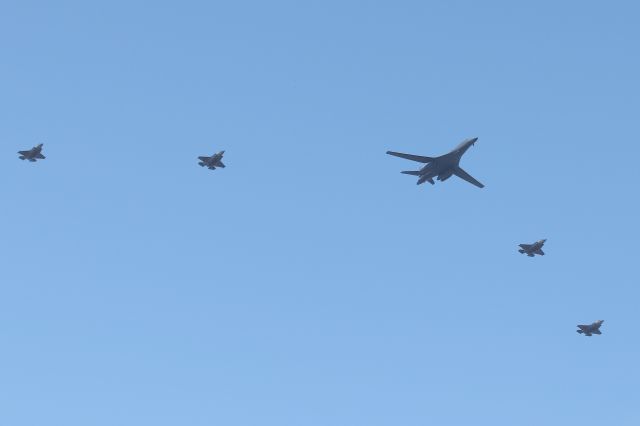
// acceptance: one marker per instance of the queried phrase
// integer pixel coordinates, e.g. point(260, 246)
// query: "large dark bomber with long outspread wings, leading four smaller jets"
point(441, 167)
